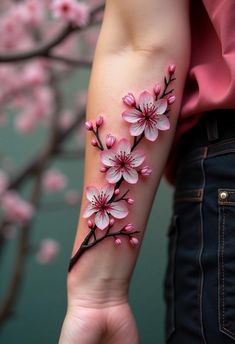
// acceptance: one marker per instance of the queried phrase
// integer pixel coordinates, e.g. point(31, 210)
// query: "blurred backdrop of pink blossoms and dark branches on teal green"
point(45, 61)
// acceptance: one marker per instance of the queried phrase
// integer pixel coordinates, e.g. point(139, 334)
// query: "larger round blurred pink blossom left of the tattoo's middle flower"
point(54, 180)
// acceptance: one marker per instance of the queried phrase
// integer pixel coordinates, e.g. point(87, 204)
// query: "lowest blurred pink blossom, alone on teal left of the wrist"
point(48, 251)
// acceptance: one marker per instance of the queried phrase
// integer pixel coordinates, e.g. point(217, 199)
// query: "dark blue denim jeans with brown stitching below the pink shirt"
point(199, 283)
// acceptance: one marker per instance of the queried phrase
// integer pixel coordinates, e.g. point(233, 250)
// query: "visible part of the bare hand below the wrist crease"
point(103, 325)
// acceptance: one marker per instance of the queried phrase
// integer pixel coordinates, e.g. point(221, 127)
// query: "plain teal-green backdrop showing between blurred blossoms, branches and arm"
point(38, 315)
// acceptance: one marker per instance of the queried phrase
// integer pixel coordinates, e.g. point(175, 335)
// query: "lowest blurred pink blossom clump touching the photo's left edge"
point(15, 208)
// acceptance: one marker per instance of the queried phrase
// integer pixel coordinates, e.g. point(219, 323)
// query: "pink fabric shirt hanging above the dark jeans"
point(210, 81)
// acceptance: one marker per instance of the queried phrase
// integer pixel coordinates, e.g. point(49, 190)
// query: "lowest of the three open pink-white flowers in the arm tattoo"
point(100, 205)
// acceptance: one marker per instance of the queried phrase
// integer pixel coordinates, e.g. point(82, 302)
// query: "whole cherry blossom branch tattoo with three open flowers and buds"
point(123, 163)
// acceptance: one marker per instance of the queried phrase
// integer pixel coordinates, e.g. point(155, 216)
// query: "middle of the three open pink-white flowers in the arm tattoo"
point(122, 162)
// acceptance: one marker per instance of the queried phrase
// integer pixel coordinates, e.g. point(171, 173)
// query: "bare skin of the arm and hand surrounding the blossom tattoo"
point(135, 46)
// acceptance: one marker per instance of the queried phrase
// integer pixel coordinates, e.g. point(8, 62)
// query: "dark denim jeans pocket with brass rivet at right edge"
point(226, 261)
